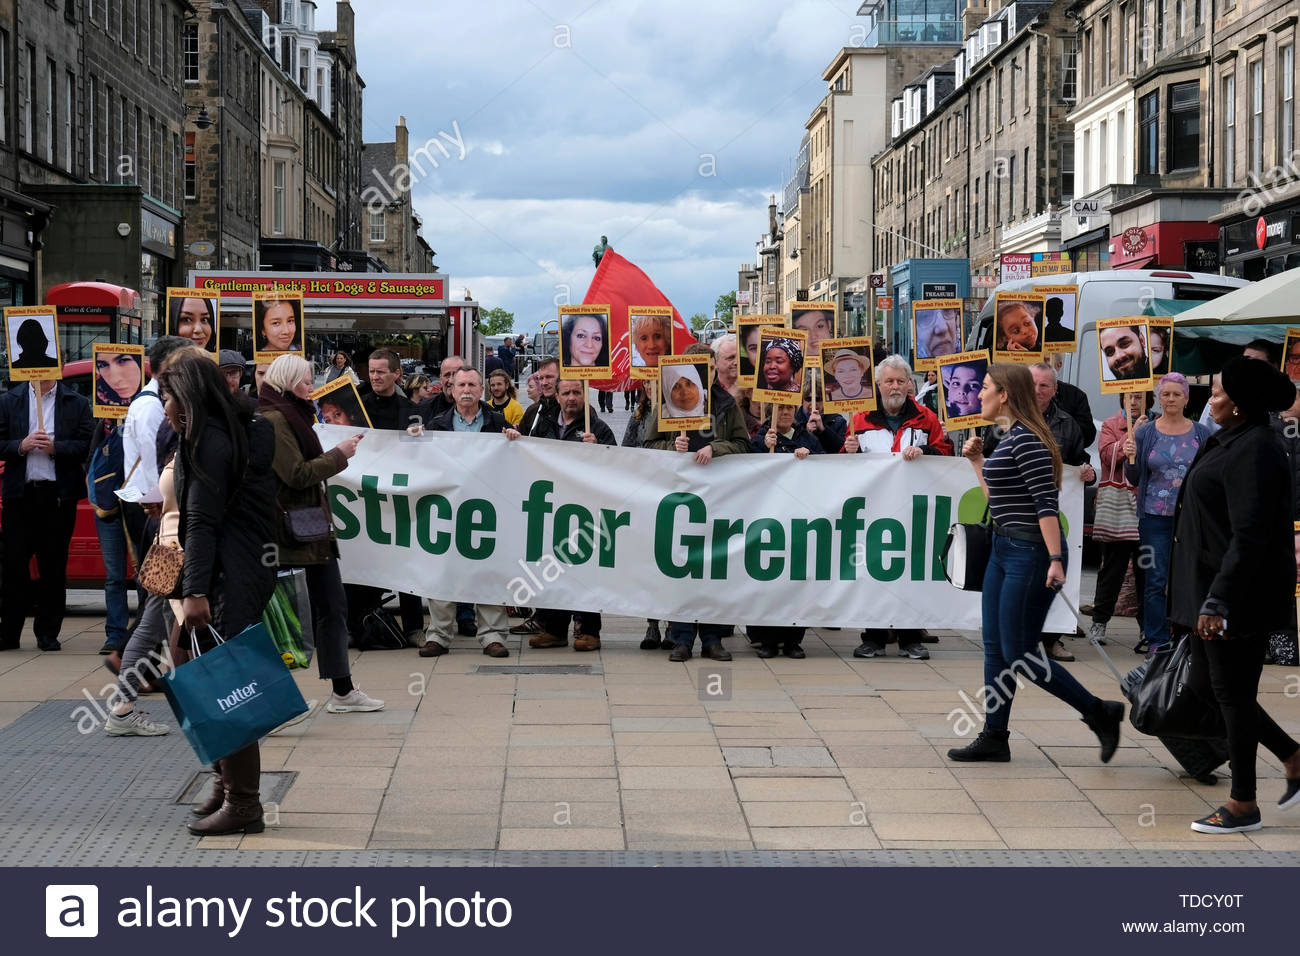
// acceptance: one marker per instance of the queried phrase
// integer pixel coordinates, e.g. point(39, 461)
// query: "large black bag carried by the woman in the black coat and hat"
point(1163, 703)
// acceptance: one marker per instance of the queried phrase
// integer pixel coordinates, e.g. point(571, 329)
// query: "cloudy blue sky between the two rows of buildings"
point(590, 118)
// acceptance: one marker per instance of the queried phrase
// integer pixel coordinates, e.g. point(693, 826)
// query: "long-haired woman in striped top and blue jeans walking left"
point(1022, 481)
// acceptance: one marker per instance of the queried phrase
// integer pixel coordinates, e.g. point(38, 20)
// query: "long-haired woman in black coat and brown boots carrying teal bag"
point(227, 491)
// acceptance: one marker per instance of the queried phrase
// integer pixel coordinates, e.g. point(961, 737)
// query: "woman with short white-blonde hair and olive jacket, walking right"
point(302, 468)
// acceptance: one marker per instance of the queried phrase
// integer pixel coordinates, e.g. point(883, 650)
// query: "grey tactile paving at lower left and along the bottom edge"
point(76, 799)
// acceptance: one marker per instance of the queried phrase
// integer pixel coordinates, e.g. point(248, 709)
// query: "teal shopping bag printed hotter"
point(233, 695)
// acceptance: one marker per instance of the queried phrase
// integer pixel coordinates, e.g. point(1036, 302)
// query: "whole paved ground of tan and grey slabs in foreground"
point(630, 762)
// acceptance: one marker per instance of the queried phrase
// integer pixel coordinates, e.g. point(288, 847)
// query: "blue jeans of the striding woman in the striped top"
point(1015, 608)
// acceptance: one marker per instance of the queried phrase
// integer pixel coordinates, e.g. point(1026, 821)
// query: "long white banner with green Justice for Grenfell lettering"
point(834, 540)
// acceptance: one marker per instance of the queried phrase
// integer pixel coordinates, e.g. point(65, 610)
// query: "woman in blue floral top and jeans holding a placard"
point(1162, 451)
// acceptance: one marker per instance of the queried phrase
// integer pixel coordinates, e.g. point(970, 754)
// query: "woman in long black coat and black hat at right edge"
point(1233, 576)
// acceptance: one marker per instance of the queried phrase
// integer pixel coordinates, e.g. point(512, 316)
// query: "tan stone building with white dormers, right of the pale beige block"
point(974, 166)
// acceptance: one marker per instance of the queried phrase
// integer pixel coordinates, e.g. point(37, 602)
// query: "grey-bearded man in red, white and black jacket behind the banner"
point(899, 426)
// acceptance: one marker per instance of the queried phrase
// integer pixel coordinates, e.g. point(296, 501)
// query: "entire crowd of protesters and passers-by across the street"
point(214, 469)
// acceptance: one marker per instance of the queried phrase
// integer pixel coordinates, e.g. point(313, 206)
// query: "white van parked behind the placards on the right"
point(1106, 296)
